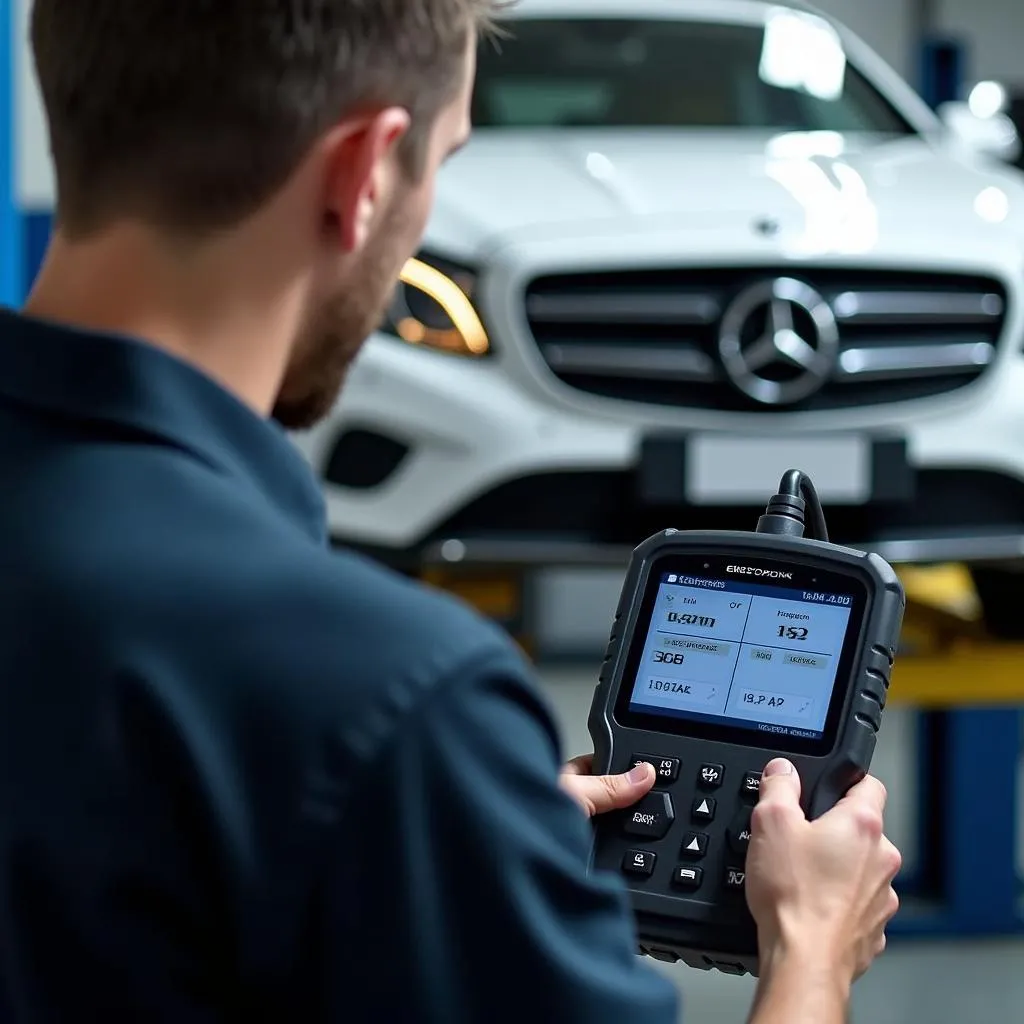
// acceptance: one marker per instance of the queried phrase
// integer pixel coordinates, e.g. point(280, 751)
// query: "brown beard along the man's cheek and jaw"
point(334, 334)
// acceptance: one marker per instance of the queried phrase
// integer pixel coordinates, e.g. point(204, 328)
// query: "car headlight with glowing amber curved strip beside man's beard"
point(434, 308)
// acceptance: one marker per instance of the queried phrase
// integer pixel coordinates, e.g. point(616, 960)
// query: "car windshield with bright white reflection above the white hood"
point(789, 75)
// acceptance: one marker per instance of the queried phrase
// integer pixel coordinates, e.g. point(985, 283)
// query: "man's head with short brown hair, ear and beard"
point(195, 119)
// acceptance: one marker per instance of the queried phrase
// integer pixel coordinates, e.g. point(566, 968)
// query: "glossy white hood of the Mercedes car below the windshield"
point(823, 191)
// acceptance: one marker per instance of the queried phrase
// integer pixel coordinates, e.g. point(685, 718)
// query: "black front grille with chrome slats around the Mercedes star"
point(654, 336)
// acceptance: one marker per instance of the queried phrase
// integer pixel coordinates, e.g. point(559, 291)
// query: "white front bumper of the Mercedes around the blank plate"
point(492, 473)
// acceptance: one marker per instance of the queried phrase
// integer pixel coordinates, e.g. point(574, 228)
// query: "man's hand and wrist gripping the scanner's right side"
point(822, 895)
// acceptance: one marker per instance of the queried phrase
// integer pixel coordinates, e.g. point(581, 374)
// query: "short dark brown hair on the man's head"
point(193, 114)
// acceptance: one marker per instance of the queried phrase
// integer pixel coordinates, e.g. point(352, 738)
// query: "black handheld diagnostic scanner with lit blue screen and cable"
point(731, 650)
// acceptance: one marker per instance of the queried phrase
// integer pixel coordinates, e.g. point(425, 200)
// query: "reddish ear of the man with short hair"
point(362, 172)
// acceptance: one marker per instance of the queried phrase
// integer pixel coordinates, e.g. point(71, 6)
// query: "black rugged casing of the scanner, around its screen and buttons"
point(713, 929)
